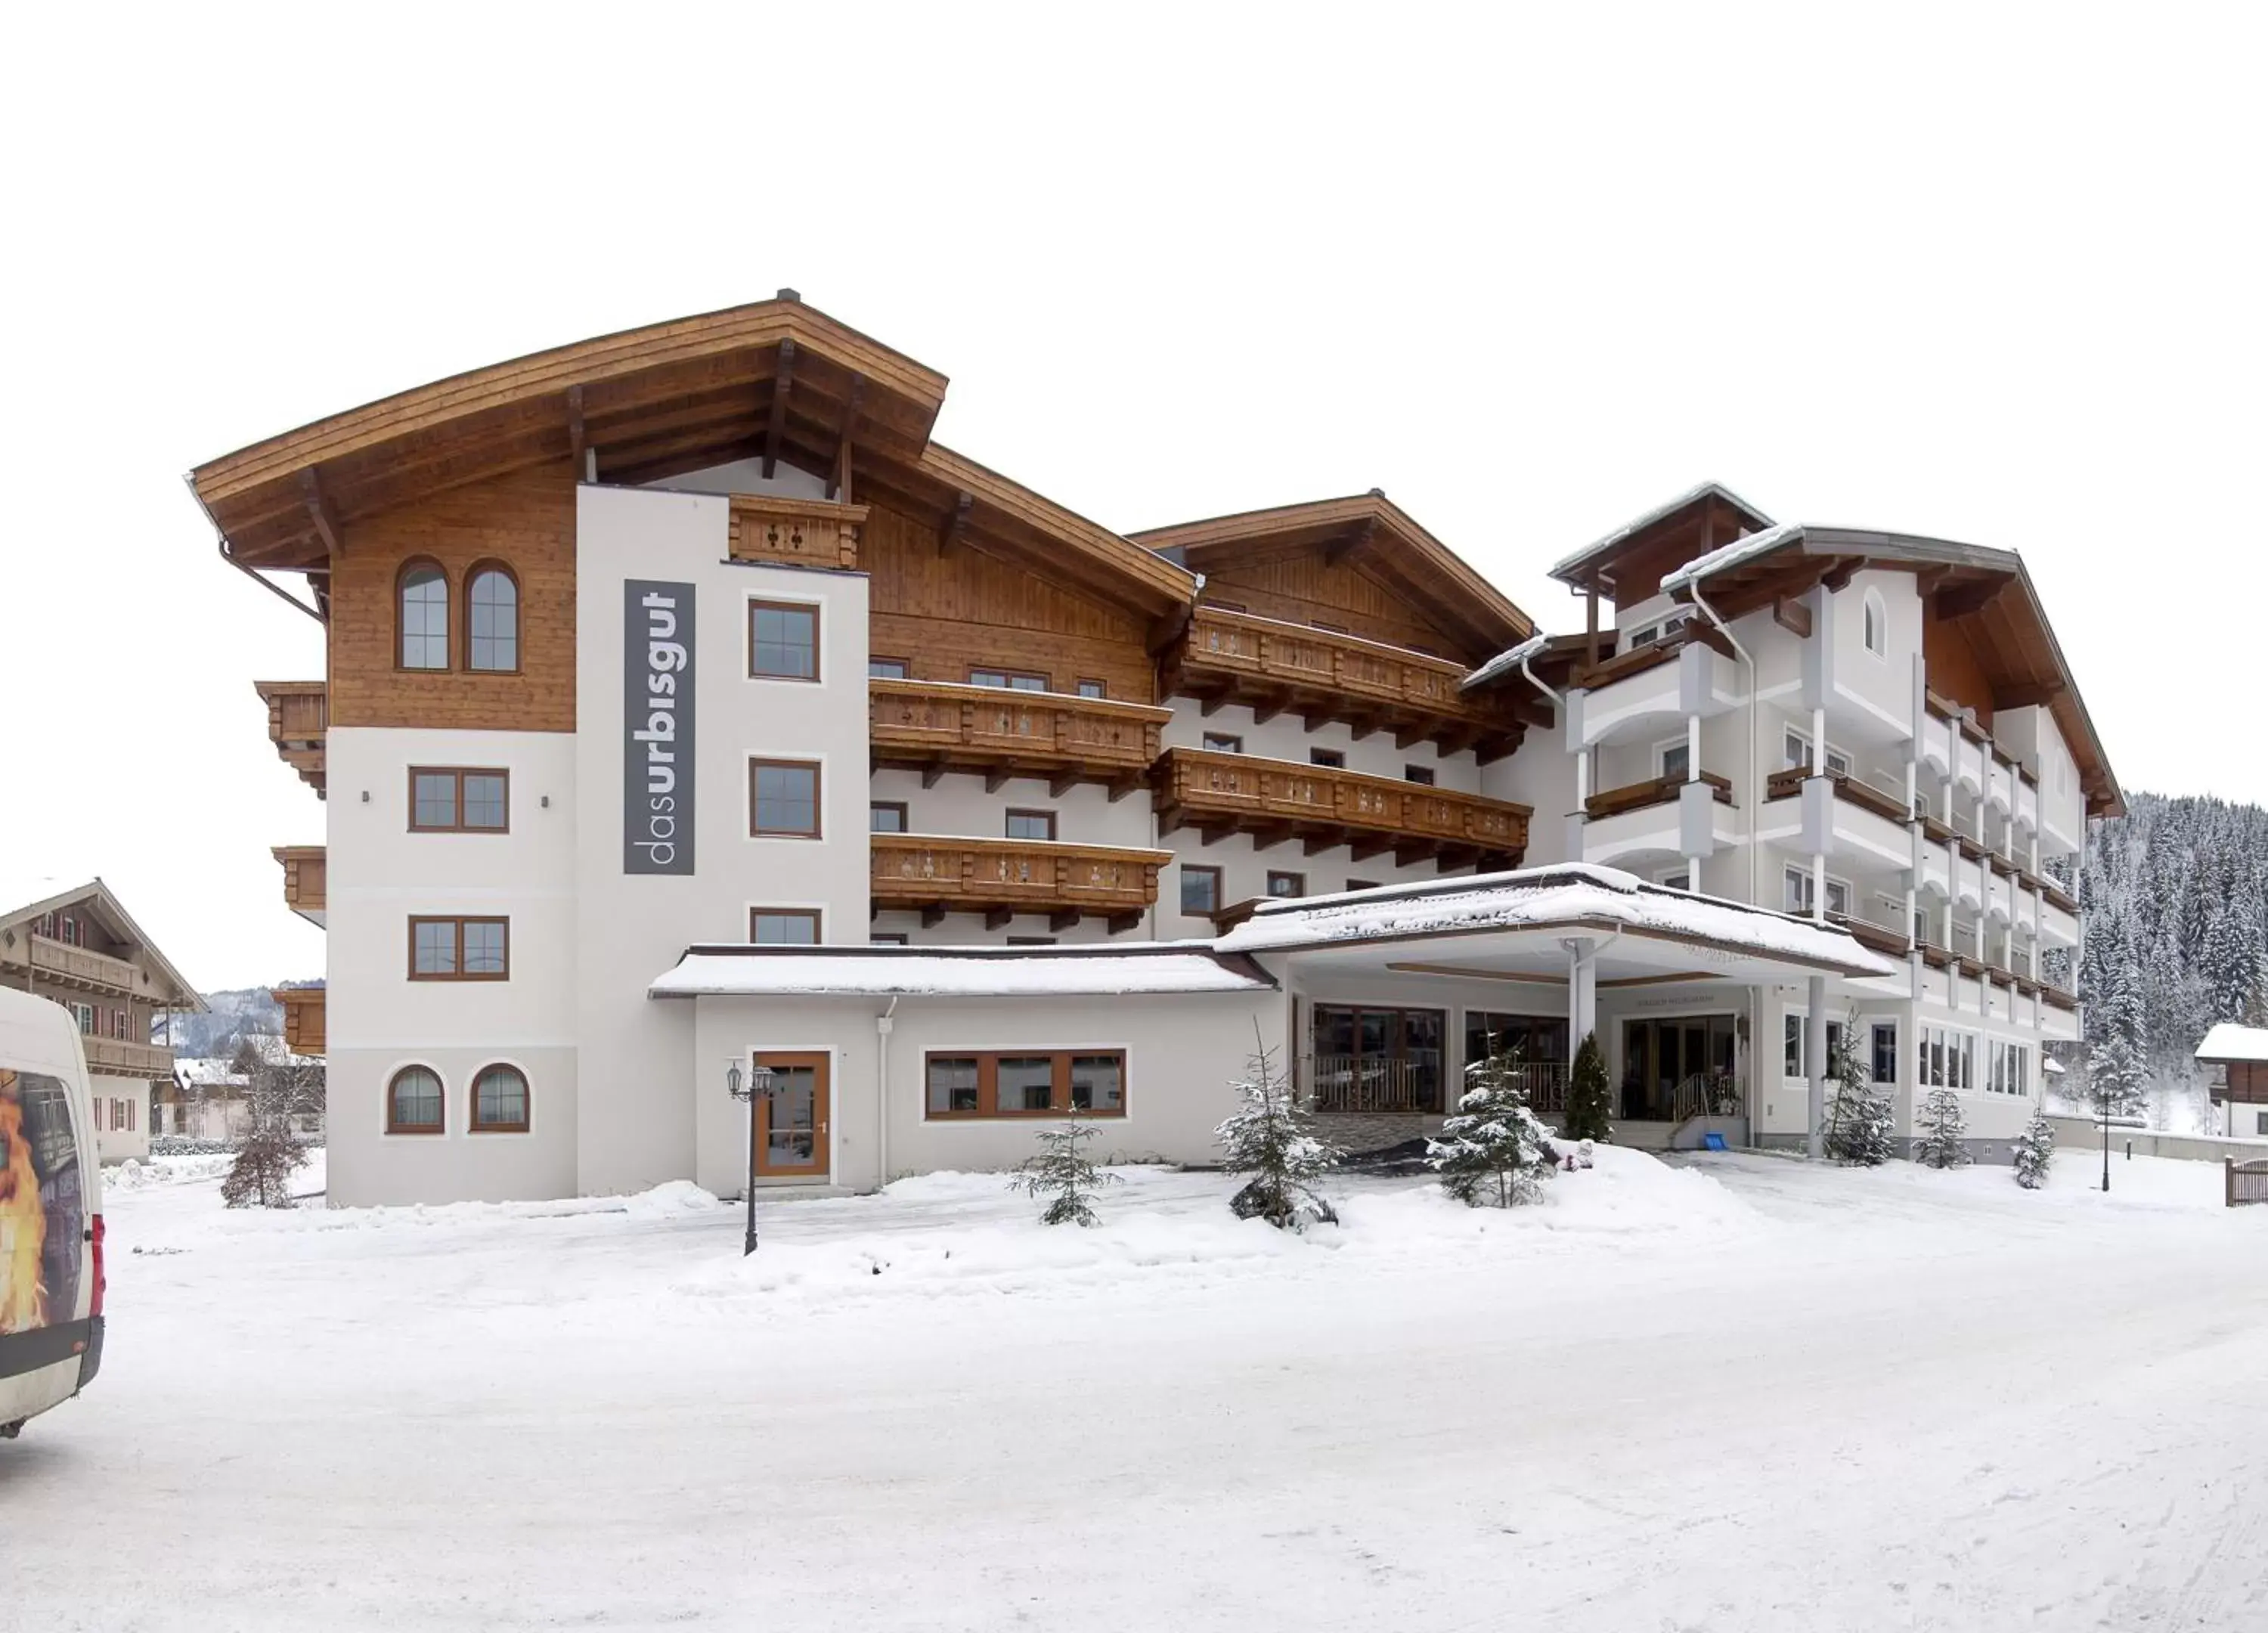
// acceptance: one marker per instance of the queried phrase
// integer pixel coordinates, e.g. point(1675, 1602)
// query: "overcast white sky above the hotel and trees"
point(1530, 271)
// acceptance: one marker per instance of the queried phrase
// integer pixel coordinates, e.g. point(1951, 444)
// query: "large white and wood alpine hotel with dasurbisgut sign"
point(693, 706)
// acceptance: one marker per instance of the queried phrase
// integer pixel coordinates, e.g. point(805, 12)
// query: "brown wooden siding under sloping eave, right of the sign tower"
point(954, 611)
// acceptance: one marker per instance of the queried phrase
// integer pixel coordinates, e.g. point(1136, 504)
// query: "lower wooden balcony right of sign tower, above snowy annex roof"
point(936, 874)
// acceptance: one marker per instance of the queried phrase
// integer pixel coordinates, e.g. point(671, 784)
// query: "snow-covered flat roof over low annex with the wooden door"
point(965, 972)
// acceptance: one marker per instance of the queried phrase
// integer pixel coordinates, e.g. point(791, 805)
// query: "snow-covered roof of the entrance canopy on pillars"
point(1543, 899)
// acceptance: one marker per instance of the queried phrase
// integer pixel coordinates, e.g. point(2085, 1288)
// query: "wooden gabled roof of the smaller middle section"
point(1369, 532)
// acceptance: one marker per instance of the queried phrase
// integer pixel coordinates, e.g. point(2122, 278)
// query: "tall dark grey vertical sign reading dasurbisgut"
point(657, 727)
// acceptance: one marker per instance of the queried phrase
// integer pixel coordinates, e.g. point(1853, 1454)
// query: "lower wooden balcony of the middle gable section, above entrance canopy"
point(1278, 799)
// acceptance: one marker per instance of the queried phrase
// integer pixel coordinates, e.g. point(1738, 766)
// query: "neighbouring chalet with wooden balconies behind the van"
point(78, 947)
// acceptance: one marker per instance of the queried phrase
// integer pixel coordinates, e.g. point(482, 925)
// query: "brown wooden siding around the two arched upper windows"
point(525, 523)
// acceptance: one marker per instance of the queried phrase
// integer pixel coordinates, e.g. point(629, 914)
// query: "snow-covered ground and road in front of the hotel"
point(1747, 1394)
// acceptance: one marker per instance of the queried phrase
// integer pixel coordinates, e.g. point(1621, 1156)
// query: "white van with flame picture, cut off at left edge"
point(51, 1212)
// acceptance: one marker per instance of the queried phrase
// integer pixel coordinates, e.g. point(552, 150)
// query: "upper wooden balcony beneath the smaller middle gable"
point(1278, 668)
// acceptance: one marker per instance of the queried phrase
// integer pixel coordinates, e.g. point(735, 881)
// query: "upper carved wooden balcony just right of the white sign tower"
point(940, 727)
